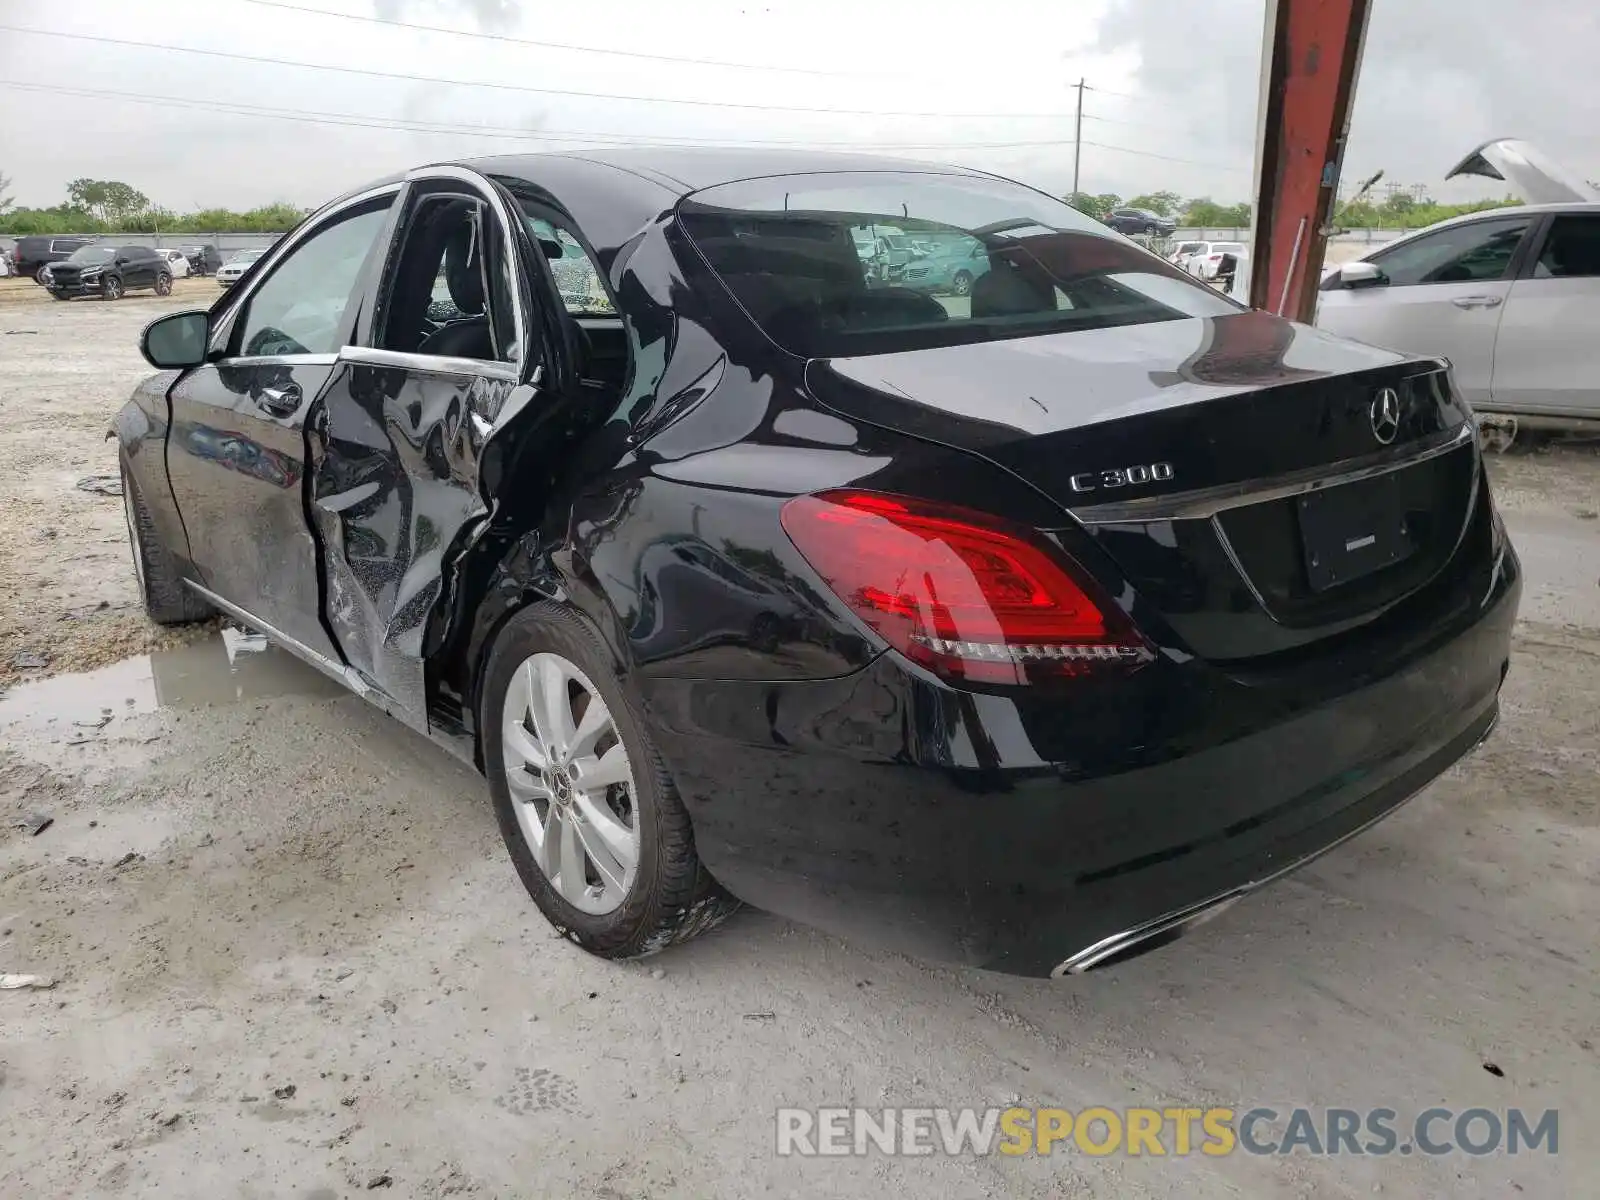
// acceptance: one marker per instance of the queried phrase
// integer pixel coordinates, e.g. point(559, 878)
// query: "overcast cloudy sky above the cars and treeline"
point(1172, 97)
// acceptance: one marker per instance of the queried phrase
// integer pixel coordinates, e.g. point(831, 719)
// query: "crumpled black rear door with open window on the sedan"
point(439, 367)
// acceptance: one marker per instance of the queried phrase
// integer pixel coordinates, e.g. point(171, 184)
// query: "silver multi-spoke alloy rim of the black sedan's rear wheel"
point(572, 783)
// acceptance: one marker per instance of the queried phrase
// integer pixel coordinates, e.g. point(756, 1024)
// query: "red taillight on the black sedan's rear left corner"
point(959, 593)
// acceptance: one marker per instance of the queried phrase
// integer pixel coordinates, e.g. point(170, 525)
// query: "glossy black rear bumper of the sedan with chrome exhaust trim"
point(1026, 834)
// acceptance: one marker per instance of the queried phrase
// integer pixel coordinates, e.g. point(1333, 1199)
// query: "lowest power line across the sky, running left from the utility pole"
point(498, 132)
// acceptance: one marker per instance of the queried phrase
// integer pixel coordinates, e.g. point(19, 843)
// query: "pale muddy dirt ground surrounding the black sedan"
point(294, 961)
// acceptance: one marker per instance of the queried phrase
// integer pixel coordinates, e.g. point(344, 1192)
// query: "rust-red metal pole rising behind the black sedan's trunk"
point(1311, 57)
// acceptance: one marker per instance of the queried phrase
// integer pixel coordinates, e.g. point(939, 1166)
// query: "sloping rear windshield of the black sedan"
point(793, 252)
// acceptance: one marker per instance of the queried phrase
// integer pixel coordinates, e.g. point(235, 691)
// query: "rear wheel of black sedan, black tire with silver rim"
point(668, 897)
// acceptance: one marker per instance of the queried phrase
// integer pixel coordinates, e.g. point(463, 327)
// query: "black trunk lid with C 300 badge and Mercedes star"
point(1193, 454)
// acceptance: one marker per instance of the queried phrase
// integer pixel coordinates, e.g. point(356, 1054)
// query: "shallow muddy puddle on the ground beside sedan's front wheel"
point(217, 671)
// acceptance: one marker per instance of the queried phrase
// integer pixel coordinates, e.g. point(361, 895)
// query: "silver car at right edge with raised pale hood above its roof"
point(1510, 297)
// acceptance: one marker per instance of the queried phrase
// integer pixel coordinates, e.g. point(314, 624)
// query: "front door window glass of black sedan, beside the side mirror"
point(300, 306)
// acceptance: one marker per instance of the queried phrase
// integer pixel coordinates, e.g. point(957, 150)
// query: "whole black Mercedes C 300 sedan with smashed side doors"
point(1023, 630)
